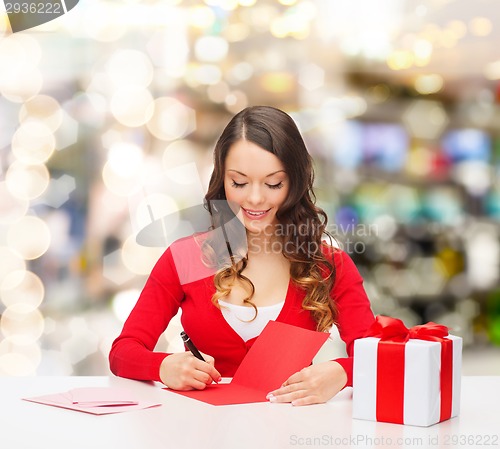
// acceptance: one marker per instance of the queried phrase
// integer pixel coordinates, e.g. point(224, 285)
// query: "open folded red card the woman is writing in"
point(280, 351)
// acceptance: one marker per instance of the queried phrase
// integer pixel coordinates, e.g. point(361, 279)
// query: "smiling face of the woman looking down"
point(256, 181)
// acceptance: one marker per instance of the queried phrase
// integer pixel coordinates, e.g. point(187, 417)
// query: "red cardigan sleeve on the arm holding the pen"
point(132, 353)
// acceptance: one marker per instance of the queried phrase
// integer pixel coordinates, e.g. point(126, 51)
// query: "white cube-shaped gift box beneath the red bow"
point(421, 381)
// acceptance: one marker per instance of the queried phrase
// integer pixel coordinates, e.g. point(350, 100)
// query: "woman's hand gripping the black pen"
point(183, 371)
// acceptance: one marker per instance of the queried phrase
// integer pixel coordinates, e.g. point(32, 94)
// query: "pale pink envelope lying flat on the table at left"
point(95, 400)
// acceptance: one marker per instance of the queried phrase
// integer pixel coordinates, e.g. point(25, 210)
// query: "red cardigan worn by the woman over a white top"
point(177, 280)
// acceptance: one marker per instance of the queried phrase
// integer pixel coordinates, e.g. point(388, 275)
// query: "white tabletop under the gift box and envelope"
point(184, 423)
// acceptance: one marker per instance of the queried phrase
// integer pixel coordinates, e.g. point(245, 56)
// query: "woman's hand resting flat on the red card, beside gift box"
point(312, 385)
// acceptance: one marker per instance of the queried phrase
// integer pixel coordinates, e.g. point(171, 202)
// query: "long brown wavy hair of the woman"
point(303, 224)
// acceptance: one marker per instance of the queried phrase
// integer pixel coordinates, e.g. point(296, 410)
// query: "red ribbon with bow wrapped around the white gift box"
point(393, 336)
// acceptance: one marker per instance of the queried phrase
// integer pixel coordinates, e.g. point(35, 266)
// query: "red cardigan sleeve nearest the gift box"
point(354, 311)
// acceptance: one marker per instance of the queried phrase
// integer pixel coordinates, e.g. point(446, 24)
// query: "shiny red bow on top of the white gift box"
point(392, 329)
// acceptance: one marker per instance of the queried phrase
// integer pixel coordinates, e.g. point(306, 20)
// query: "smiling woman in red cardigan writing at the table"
point(283, 271)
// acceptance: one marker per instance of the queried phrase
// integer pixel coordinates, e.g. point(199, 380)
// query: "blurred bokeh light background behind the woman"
point(108, 116)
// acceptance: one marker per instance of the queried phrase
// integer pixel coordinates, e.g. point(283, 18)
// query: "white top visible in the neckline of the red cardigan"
point(240, 318)
